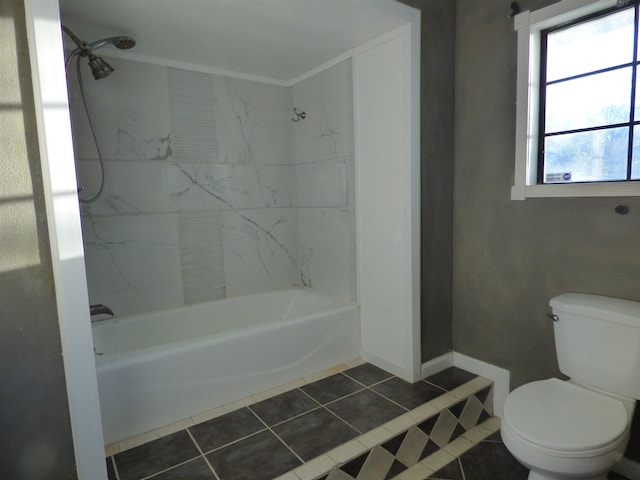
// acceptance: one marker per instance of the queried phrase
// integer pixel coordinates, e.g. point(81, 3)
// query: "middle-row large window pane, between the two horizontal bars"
point(596, 100)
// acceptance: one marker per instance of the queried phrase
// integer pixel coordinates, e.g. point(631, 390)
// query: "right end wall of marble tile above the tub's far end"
point(325, 181)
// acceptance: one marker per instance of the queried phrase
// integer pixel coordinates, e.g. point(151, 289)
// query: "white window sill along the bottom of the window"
point(612, 189)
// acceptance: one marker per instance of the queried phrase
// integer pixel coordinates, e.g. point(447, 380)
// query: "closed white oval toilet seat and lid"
point(564, 419)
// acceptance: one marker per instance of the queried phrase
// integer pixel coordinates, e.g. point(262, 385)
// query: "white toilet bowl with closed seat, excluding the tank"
point(560, 430)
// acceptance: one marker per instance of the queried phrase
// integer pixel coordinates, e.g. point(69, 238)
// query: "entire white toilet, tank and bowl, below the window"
point(579, 428)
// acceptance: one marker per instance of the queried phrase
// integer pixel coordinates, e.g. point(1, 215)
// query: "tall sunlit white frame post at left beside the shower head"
point(65, 234)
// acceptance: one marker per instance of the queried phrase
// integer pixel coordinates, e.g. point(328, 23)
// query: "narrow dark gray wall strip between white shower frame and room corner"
point(437, 88)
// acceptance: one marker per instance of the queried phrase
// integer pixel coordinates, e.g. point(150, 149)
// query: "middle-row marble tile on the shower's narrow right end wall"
point(322, 184)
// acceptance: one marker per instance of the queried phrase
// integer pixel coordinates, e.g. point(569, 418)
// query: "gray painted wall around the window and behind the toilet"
point(511, 257)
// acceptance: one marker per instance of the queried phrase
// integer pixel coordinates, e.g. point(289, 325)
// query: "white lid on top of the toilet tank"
point(597, 306)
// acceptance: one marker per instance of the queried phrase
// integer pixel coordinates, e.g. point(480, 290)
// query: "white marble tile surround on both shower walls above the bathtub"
point(212, 190)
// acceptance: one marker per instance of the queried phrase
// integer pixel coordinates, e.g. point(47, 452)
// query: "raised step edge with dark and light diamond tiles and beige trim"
point(405, 445)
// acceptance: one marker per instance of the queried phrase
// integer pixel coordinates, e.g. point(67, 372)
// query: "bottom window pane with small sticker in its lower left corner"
point(599, 155)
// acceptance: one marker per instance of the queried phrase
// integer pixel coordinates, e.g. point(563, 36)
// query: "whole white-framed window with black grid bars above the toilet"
point(578, 120)
